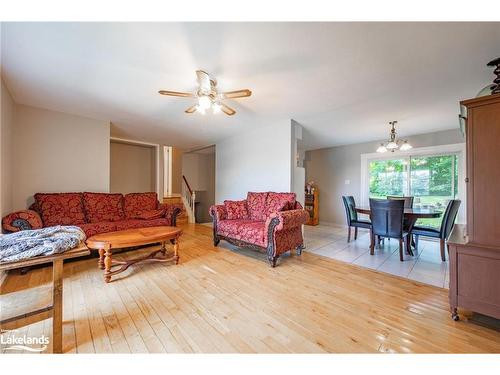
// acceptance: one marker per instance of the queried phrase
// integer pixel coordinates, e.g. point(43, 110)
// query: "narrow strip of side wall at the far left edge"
point(7, 109)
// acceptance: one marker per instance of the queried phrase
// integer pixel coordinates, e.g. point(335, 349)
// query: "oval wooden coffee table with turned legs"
point(106, 243)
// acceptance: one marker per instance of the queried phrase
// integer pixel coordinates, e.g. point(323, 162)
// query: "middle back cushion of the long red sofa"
point(103, 207)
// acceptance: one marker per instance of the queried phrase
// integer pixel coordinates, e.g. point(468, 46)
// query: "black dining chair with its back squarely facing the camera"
point(387, 222)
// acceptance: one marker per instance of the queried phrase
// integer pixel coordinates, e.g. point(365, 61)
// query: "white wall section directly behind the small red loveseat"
point(258, 160)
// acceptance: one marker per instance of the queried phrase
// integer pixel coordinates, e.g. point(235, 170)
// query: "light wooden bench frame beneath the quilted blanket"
point(17, 308)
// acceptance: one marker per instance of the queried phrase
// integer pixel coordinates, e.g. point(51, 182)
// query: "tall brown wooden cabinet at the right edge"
point(475, 249)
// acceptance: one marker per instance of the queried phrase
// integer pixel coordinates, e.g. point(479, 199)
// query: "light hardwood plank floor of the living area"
point(217, 300)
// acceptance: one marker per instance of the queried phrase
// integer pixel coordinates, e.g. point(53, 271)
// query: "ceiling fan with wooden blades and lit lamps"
point(208, 96)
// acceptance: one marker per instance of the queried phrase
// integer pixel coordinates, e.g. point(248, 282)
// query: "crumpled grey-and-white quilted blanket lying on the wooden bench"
point(46, 241)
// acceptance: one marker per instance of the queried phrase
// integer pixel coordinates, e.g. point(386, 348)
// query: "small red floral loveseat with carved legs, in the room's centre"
point(270, 222)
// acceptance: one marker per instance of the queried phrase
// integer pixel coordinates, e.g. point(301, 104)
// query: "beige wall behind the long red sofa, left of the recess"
point(58, 152)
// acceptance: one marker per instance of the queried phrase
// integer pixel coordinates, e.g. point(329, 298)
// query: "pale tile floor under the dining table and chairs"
point(425, 266)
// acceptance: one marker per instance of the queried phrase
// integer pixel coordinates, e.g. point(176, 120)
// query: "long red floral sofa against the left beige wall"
point(93, 212)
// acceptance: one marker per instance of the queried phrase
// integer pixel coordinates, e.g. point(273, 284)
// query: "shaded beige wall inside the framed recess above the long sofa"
point(133, 168)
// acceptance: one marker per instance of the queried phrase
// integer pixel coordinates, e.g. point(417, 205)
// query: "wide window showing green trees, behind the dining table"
point(432, 180)
